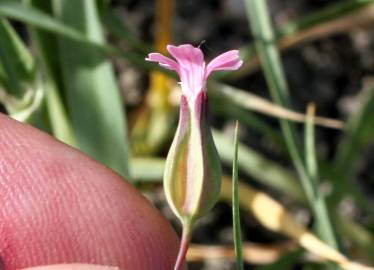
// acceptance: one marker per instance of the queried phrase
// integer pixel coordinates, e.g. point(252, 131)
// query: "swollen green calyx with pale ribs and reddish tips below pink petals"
point(192, 177)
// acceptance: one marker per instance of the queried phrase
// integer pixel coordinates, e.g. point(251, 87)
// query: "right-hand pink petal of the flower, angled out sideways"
point(227, 61)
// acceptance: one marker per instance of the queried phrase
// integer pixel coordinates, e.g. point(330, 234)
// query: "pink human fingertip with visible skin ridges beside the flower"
point(58, 206)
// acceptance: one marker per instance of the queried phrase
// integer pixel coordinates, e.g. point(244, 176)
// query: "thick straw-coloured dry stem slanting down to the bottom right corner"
point(275, 217)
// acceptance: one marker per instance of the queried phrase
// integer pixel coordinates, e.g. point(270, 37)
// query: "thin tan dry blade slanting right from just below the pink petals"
point(258, 104)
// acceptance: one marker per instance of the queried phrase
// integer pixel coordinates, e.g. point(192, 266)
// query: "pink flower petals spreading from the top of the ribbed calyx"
point(190, 65)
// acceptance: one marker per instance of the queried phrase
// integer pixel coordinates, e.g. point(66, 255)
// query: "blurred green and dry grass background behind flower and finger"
point(304, 99)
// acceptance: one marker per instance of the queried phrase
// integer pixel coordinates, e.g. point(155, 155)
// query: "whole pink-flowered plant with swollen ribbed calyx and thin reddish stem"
point(192, 177)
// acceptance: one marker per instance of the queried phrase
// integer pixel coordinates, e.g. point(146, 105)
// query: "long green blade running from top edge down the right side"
point(265, 41)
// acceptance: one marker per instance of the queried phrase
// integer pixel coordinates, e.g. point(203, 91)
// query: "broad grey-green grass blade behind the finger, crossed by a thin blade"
point(92, 95)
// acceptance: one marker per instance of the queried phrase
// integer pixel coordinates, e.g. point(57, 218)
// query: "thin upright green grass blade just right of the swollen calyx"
point(235, 205)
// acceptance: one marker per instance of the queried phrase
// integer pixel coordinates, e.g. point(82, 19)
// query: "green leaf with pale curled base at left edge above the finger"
point(20, 89)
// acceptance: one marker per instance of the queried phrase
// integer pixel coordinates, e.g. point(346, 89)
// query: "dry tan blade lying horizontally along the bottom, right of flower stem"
point(252, 252)
